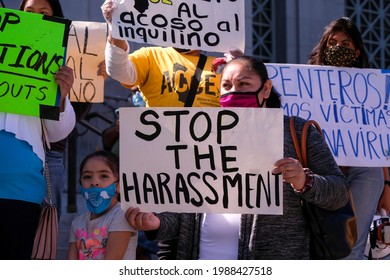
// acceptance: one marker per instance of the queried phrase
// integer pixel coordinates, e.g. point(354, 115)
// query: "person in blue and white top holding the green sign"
point(23, 185)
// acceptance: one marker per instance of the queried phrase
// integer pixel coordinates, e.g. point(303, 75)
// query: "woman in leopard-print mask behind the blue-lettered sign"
point(341, 45)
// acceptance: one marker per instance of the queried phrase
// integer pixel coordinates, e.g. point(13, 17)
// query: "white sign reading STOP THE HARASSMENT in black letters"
point(201, 159)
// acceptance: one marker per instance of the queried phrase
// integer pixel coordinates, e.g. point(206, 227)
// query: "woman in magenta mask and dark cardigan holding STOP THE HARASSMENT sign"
point(245, 83)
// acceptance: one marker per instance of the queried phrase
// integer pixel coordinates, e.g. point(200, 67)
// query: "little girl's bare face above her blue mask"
point(96, 173)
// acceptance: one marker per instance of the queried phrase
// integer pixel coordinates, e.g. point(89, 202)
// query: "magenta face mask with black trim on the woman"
point(243, 99)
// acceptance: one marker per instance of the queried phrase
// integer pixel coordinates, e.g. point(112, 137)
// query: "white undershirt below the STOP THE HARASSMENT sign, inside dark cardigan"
point(219, 236)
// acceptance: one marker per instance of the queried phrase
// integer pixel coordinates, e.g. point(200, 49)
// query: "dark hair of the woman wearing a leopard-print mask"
point(345, 25)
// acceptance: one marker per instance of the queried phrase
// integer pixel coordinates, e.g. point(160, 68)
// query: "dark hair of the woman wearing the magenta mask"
point(258, 66)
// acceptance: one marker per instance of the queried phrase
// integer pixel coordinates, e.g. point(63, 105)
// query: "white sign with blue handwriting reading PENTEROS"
point(350, 104)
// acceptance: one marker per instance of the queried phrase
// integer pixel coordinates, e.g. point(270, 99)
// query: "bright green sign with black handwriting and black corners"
point(32, 50)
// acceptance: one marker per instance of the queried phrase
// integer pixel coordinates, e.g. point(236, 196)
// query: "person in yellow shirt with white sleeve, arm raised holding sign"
point(163, 74)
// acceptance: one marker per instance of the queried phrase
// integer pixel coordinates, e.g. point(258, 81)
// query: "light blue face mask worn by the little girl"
point(98, 199)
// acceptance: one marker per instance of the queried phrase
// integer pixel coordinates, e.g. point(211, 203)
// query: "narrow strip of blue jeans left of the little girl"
point(56, 163)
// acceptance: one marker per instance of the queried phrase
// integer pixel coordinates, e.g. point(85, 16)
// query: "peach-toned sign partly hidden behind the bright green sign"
point(86, 44)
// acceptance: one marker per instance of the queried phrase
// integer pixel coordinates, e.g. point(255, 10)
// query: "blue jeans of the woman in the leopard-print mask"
point(366, 184)
